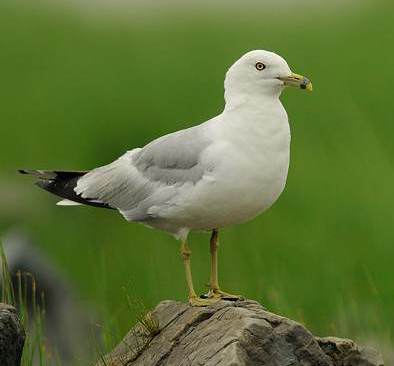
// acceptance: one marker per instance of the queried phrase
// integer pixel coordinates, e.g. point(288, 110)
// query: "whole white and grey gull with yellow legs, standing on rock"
point(222, 172)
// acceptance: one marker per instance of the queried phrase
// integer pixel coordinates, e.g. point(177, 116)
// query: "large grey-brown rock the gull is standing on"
point(231, 334)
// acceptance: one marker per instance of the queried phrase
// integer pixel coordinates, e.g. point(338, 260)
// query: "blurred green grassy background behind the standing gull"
point(81, 85)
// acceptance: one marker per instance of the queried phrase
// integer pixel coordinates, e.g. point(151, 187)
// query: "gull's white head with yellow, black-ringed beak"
point(262, 72)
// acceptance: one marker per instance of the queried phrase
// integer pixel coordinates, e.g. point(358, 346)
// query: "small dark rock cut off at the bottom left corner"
point(12, 336)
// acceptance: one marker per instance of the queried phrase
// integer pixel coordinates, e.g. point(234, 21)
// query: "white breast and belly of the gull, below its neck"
point(249, 159)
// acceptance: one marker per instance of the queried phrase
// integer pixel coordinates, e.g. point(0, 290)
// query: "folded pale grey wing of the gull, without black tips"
point(150, 177)
